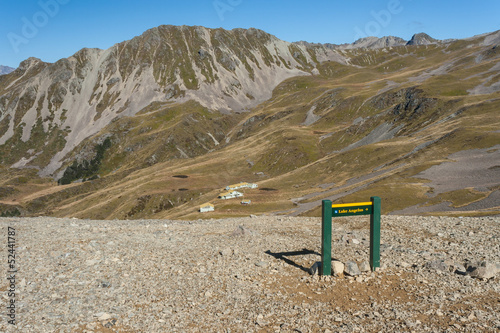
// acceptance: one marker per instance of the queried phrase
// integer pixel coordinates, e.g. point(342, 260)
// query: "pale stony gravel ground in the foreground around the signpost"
point(249, 275)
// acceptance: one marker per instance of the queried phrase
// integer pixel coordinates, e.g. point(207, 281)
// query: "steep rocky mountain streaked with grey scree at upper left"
point(75, 98)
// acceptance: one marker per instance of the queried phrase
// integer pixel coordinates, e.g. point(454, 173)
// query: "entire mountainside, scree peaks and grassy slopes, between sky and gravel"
point(305, 121)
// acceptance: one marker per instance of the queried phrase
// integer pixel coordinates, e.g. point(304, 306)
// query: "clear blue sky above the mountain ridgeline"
point(55, 29)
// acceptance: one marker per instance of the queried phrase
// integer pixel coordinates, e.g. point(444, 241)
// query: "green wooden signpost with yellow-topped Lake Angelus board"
point(329, 211)
